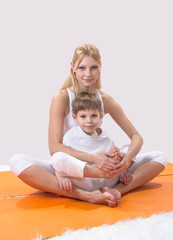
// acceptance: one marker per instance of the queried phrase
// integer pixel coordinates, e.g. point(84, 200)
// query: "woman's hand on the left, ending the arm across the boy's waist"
point(105, 161)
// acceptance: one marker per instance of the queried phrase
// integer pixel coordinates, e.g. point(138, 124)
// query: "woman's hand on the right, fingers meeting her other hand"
point(123, 165)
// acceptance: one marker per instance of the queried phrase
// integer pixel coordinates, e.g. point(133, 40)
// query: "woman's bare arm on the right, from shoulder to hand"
point(118, 115)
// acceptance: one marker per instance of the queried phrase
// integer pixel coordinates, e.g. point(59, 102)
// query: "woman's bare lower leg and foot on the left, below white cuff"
point(40, 179)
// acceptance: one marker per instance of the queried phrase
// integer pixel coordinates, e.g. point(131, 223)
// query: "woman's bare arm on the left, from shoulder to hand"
point(58, 110)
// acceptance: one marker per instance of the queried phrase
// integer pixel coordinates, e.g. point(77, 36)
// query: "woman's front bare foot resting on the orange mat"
point(103, 198)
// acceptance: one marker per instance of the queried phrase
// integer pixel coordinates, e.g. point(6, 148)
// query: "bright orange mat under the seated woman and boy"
point(36, 213)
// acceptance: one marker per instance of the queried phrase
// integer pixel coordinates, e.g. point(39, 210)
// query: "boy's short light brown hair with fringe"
point(86, 101)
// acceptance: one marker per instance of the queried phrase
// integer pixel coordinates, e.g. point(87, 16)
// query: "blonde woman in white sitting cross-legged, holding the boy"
point(85, 77)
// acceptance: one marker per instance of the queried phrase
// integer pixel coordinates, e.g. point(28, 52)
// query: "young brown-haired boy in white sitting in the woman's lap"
point(86, 137)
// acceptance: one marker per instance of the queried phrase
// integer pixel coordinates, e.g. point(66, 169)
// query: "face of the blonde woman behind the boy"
point(87, 72)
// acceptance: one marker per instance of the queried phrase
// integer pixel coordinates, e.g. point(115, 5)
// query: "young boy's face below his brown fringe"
point(88, 120)
